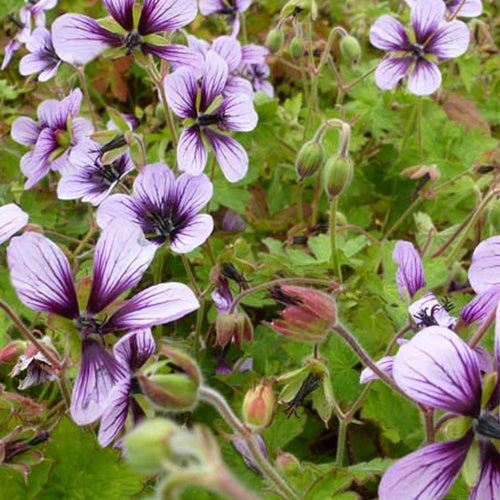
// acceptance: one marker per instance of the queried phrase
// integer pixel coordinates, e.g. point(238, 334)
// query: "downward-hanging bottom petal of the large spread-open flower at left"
point(98, 373)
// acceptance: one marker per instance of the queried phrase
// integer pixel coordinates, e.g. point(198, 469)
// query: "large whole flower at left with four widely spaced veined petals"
point(41, 276)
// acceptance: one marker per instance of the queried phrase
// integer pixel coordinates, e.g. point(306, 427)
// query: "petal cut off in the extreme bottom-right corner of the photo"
point(488, 485)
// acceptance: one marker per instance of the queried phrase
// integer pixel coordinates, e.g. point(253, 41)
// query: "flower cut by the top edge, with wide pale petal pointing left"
point(78, 39)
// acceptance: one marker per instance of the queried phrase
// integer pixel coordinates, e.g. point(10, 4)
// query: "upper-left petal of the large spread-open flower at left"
point(41, 275)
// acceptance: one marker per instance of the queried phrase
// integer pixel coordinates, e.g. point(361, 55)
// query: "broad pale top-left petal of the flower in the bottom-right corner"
point(438, 369)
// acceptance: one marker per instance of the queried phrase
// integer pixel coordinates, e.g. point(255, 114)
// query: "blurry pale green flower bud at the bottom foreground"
point(148, 444)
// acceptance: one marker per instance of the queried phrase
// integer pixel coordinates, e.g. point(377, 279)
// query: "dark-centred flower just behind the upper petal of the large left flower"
point(164, 207)
